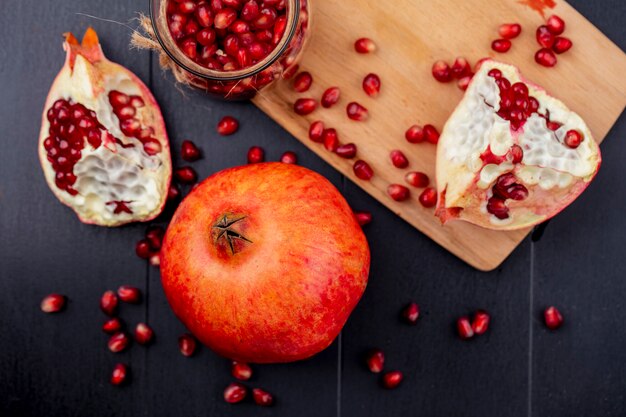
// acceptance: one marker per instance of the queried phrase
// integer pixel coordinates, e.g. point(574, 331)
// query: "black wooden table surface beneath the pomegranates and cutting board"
point(58, 365)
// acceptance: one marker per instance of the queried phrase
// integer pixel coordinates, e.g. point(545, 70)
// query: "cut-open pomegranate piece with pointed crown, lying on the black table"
point(103, 145)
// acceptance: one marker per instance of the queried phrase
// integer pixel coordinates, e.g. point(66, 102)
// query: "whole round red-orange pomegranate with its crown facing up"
point(265, 262)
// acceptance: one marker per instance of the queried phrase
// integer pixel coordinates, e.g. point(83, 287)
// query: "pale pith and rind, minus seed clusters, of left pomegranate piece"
point(119, 170)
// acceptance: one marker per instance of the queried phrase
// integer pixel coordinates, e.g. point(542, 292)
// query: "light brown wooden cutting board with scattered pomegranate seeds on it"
point(411, 35)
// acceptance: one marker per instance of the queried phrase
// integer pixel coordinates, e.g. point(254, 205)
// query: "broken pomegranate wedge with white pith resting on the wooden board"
point(504, 160)
